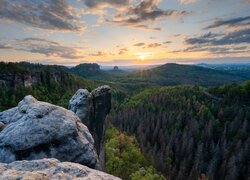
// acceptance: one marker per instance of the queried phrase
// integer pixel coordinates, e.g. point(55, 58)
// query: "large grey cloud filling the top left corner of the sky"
point(46, 14)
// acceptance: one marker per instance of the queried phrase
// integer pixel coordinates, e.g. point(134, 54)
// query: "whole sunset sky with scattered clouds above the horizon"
point(125, 32)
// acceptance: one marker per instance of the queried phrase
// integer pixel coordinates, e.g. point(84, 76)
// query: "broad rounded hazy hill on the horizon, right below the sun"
point(173, 74)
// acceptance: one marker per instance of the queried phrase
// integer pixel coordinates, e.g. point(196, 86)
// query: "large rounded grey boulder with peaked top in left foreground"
point(36, 130)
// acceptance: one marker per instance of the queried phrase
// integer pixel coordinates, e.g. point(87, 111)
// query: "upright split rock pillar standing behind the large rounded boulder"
point(92, 109)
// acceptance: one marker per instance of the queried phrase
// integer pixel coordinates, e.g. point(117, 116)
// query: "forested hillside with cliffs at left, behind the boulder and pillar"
point(47, 83)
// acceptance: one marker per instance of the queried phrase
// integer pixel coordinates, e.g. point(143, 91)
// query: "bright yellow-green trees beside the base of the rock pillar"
point(123, 156)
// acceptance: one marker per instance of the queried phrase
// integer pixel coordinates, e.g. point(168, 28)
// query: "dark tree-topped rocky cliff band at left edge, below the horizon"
point(15, 75)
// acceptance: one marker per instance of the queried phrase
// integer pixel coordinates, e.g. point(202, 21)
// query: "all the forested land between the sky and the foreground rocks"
point(182, 132)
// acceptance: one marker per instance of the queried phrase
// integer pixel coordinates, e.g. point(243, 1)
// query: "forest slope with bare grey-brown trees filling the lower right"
point(191, 132)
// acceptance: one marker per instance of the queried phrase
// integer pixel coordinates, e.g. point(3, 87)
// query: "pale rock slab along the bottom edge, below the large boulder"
point(50, 169)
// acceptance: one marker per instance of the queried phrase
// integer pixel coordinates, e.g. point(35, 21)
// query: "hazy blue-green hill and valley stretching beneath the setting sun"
point(135, 81)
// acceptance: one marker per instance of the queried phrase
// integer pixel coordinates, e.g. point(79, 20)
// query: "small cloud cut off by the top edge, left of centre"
point(105, 3)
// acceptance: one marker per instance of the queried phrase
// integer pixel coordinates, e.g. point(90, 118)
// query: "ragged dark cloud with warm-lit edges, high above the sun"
point(146, 11)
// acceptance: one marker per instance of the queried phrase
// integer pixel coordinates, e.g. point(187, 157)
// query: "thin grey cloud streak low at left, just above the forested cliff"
point(46, 47)
